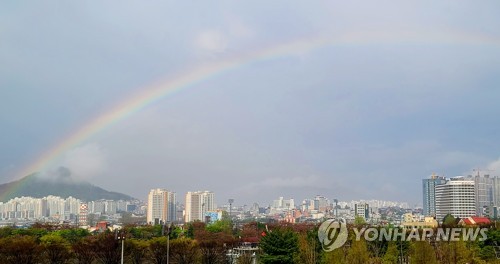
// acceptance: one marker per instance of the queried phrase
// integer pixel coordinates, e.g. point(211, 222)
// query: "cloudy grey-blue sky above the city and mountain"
point(400, 90)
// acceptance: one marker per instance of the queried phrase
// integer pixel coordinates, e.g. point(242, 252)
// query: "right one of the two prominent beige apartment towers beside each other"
point(198, 204)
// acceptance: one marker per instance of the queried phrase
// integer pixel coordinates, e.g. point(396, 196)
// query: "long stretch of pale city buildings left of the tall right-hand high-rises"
point(162, 206)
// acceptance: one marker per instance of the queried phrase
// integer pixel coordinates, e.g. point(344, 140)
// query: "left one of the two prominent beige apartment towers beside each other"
point(161, 206)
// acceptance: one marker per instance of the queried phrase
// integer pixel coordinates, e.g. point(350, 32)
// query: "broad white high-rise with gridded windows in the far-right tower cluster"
point(456, 197)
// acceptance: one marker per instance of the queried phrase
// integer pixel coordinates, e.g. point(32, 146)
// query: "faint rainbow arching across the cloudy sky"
point(189, 78)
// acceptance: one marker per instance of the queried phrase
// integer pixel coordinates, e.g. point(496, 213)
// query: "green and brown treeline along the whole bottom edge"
point(205, 244)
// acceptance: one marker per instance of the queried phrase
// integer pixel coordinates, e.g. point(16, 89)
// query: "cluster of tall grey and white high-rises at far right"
point(461, 196)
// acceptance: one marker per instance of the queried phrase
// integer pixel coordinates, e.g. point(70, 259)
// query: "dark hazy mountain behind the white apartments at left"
point(59, 183)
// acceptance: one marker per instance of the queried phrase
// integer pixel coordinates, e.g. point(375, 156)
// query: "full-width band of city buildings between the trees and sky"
point(461, 196)
